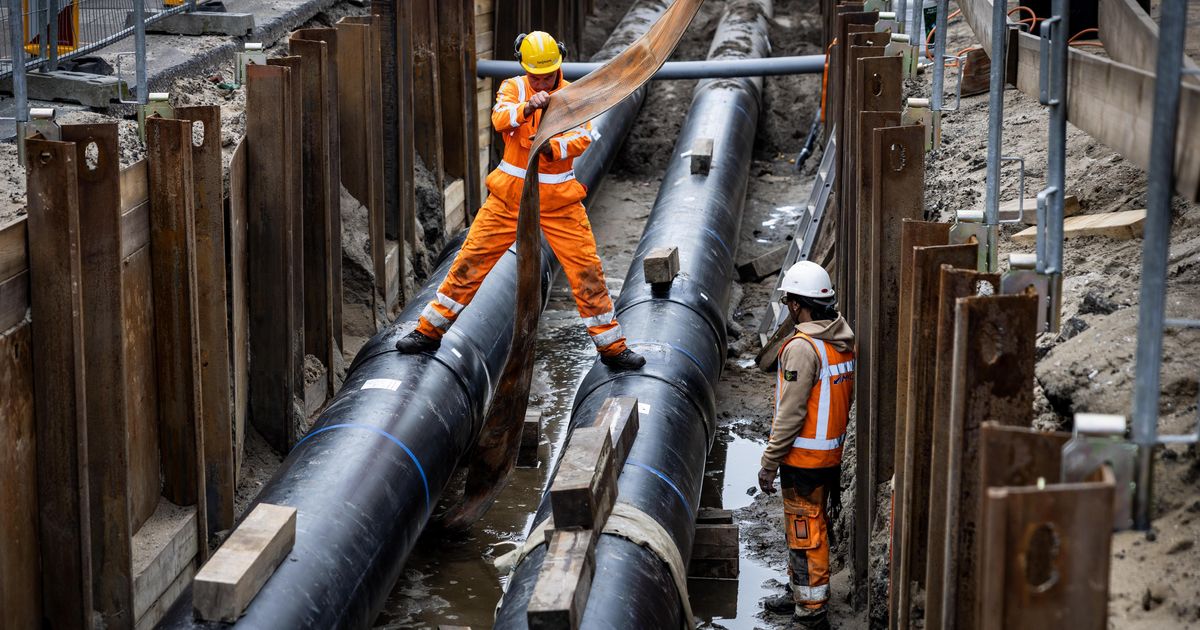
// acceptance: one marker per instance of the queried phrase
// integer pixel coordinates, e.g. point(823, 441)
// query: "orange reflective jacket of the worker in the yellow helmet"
point(557, 177)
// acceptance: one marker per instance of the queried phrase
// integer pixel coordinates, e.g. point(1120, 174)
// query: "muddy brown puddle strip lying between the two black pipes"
point(453, 581)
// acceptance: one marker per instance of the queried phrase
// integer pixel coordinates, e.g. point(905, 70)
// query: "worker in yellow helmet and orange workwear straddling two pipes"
point(519, 107)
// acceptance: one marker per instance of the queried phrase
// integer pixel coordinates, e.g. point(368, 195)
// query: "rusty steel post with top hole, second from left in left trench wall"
point(104, 347)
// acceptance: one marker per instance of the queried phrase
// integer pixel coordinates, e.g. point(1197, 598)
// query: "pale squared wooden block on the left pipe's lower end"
point(229, 583)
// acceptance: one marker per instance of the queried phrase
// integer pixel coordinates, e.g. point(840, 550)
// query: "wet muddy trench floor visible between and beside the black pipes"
point(452, 581)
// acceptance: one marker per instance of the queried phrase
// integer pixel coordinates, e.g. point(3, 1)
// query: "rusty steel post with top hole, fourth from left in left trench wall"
point(217, 395)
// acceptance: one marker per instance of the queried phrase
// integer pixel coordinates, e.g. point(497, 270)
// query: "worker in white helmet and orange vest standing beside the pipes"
point(813, 398)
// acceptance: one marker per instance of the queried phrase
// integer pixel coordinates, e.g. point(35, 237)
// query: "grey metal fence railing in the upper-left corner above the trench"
point(82, 27)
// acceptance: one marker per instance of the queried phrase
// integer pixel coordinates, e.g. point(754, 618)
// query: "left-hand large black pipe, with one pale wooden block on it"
point(365, 478)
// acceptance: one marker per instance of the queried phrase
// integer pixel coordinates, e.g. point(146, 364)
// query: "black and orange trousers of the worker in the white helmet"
point(808, 537)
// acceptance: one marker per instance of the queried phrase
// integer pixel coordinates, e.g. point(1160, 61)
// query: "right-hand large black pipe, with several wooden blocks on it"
point(682, 334)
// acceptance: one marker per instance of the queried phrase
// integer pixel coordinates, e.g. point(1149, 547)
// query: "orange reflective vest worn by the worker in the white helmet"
point(821, 440)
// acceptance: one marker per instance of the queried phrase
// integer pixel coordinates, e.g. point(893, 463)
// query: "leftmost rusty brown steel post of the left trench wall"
point(59, 387)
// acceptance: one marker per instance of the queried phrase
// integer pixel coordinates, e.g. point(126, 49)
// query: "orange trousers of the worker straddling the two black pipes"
point(493, 233)
